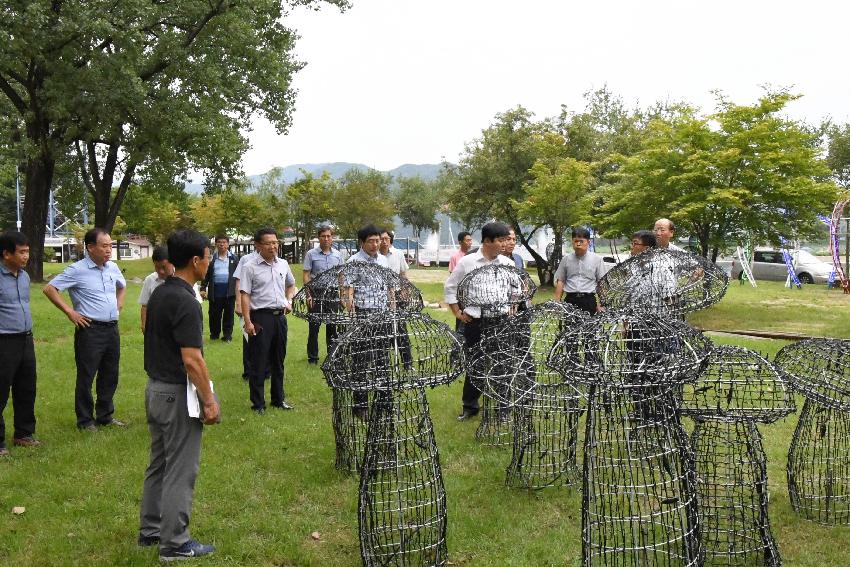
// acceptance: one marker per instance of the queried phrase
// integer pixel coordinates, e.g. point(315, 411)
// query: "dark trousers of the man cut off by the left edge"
point(17, 373)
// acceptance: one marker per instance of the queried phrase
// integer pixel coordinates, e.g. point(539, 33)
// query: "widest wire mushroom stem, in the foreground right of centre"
point(639, 488)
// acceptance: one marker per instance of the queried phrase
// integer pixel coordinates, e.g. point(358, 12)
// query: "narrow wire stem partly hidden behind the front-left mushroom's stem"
point(349, 416)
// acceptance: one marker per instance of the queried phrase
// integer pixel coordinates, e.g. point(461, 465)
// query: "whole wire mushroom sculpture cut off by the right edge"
point(819, 456)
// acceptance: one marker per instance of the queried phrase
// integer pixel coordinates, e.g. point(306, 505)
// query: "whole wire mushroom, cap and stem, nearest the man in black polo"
point(402, 510)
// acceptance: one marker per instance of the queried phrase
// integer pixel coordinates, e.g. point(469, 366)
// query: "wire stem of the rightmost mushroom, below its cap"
point(819, 465)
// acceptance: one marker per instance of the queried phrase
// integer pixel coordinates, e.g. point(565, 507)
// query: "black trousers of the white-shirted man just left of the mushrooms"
point(267, 349)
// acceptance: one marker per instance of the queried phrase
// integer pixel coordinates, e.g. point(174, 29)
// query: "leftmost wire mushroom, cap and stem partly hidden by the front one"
point(342, 296)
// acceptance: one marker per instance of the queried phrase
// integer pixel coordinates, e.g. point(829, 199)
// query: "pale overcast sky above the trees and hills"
point(390, 82)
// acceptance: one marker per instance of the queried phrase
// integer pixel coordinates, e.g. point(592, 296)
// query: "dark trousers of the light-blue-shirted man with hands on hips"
point(97, 351)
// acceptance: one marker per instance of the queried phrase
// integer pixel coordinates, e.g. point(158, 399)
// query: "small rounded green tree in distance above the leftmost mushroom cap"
point(363, 197)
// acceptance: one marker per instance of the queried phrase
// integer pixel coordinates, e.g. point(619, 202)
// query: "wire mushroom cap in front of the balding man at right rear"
point(663, 281)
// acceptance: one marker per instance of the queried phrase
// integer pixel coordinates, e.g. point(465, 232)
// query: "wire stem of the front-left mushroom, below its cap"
point(402, 511)
